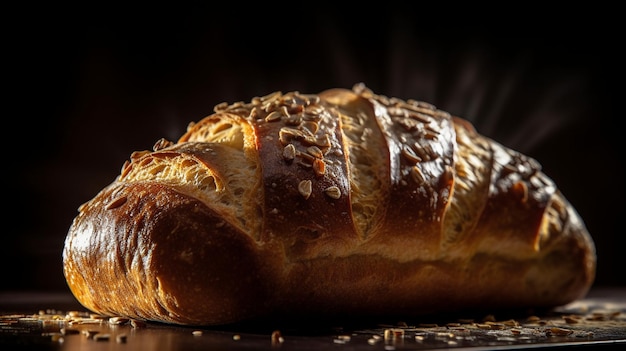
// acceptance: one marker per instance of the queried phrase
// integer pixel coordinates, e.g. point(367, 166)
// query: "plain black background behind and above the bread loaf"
point(85, 88)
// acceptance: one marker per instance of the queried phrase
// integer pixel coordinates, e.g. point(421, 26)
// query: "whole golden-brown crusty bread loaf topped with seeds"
point(342, 203)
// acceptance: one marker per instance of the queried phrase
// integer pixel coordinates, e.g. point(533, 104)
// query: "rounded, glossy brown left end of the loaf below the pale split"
point(163, 255)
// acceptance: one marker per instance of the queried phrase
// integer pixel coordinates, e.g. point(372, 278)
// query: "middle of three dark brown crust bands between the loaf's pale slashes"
point(419, 141)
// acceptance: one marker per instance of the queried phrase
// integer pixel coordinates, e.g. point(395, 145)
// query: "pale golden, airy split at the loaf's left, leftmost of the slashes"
point(216, 157)
